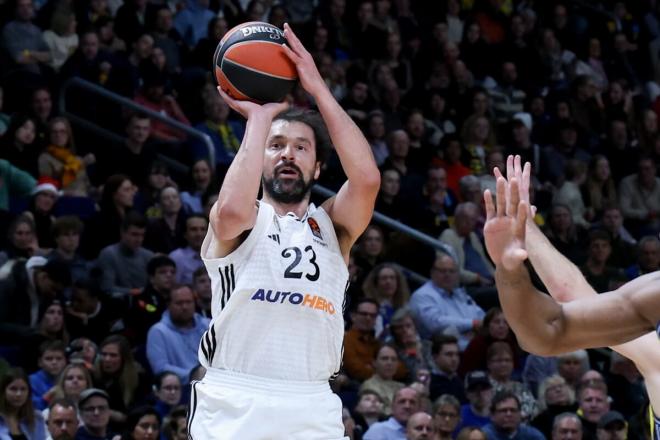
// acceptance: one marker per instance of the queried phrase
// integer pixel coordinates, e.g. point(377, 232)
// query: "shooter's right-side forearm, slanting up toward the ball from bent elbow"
point(352, 148)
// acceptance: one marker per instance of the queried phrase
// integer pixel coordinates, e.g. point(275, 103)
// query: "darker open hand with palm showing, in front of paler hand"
point(504, 230)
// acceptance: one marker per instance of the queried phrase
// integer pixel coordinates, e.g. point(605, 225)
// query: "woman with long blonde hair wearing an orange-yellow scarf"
point(60, 161)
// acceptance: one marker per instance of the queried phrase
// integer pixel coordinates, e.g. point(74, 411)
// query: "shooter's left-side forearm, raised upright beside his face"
point(240, 187)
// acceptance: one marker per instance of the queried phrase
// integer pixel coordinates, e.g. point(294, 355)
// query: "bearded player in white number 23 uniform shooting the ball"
point(278, 268)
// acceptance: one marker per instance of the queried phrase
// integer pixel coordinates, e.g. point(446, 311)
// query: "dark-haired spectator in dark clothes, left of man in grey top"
point(66, 233)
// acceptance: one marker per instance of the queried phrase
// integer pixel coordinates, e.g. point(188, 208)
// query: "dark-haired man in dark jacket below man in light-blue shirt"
point(444, 375)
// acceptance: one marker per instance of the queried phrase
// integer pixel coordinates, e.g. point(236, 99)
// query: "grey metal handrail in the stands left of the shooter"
point(125, 102)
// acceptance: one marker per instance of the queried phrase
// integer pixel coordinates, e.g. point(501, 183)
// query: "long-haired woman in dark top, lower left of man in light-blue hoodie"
point(120, 376)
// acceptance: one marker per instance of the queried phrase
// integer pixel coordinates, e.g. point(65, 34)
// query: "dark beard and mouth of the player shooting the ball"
point(288, 184)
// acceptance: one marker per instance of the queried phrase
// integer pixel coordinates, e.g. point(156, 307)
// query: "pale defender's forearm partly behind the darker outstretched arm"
point(560, 276)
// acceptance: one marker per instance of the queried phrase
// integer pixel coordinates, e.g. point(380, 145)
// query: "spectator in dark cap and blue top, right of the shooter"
point(479, 392)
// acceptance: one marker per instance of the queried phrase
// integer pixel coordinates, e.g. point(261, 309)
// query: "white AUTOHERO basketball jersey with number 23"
point(278, 300)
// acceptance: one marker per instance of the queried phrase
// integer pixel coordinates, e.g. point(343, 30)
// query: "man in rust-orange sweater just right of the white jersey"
point(360, 343)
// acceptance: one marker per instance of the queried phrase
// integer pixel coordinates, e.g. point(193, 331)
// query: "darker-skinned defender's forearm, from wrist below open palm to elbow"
point(539, 330)
